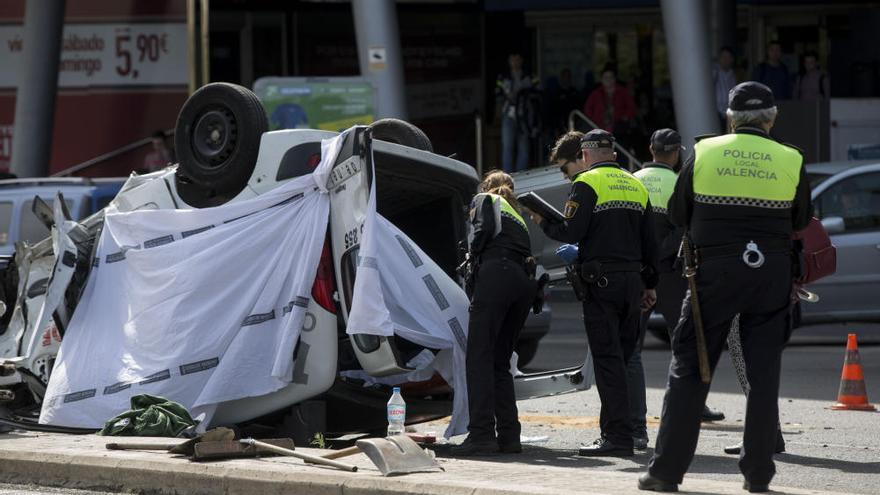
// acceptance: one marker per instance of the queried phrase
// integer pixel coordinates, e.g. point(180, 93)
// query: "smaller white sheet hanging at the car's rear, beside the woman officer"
point(400, 290)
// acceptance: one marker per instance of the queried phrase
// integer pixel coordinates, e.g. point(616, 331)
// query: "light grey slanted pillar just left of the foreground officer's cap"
point(692, 89)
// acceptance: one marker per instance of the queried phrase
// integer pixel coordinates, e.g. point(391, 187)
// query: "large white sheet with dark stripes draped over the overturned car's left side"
point(197, 316)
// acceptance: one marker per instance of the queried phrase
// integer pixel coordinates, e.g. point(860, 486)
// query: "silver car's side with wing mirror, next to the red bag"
point(850, 294)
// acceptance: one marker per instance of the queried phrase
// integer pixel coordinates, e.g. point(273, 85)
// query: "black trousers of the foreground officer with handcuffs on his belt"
point(726, 286)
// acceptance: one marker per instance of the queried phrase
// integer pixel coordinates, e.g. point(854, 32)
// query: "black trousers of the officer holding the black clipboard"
point(612, 320)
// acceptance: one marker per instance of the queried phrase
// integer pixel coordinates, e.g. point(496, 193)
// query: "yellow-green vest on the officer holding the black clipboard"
point(615, 188)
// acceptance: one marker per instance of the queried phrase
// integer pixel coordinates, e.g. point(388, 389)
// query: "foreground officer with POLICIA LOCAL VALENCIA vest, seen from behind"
point(740, 200)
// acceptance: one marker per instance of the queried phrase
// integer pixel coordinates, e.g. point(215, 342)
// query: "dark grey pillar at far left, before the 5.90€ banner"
point(38, 84)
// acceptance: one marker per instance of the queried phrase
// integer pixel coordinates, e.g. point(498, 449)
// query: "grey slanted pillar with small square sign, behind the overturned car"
point(380, 55)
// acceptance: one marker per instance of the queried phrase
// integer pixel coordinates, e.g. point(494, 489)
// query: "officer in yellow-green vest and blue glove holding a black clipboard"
point(608, 214)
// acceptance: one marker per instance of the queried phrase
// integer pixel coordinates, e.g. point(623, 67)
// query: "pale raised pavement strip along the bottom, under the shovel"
point(83, 462)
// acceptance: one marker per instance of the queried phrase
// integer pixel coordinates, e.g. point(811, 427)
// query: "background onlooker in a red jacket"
point(611, 105)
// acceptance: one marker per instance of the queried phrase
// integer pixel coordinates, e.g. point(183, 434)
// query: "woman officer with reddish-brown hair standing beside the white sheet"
point(503, 291)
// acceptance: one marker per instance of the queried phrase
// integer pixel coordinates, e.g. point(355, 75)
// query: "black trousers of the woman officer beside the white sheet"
point(503, 295)
